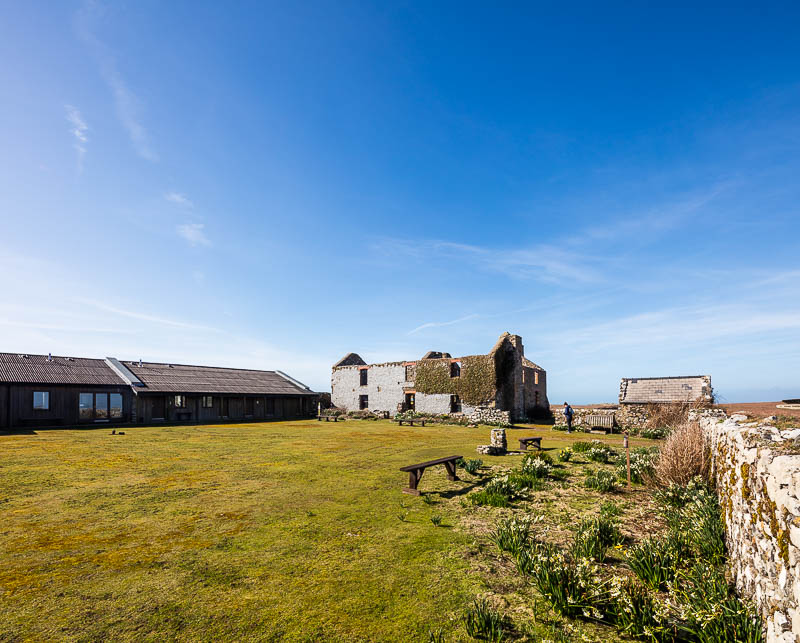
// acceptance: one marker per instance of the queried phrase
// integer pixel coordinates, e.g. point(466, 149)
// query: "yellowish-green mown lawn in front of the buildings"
point(291, 530)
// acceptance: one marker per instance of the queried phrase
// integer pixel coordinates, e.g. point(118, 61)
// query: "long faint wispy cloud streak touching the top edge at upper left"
point(127, 104)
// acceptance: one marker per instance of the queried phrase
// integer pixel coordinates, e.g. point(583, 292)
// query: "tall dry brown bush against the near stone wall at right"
point(683, 456)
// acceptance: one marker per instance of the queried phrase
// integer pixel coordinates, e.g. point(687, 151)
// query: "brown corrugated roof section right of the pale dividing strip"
point(180, 378)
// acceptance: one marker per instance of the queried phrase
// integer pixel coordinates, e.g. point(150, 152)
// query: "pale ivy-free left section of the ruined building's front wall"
point(385, 384)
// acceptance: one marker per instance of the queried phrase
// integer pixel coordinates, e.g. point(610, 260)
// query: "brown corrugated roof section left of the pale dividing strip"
point(36, 369)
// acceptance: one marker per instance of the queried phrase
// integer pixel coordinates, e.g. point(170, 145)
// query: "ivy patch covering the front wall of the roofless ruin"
point(475, 386)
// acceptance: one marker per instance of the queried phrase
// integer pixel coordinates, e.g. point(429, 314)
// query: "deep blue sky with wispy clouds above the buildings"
point(272, 186)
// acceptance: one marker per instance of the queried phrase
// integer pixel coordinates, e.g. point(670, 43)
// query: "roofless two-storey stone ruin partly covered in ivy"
point(501, 386)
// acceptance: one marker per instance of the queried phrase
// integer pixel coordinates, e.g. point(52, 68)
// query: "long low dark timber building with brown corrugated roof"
point(45, 391)
